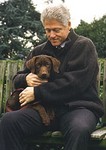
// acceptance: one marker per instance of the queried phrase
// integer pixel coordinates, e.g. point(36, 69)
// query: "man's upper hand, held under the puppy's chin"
point(34, 80)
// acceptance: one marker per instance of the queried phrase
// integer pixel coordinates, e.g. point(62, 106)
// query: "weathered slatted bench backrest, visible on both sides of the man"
point(8, 69)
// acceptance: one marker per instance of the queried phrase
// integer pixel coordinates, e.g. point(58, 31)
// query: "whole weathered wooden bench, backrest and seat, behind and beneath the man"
point(54, 140)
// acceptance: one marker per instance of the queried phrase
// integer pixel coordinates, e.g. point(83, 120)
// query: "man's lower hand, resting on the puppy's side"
point(26, 96)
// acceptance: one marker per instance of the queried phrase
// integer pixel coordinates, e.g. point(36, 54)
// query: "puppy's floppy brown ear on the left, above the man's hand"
point(30, 64)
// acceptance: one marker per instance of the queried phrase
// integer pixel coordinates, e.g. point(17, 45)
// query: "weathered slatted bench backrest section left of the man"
point(8, 69)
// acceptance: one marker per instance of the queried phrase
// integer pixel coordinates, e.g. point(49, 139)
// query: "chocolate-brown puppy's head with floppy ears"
point(43, 65)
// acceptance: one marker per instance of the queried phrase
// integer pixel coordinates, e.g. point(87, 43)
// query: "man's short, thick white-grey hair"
point(59, 12)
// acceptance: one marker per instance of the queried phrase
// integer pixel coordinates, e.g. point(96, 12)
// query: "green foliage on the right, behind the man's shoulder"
point(96, 31)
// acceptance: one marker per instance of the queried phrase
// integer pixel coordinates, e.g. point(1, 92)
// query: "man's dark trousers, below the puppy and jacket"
point(76, 126)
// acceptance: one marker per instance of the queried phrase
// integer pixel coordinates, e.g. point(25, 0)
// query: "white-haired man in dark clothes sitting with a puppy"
point(72, 93)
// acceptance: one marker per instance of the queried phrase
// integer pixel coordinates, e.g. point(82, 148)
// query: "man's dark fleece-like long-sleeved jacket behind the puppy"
point(75, 85)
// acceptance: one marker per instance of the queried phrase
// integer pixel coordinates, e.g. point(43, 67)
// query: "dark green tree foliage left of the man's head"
point(20, 28)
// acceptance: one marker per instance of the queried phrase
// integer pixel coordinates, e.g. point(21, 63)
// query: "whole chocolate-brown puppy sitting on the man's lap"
point(44, 66)
